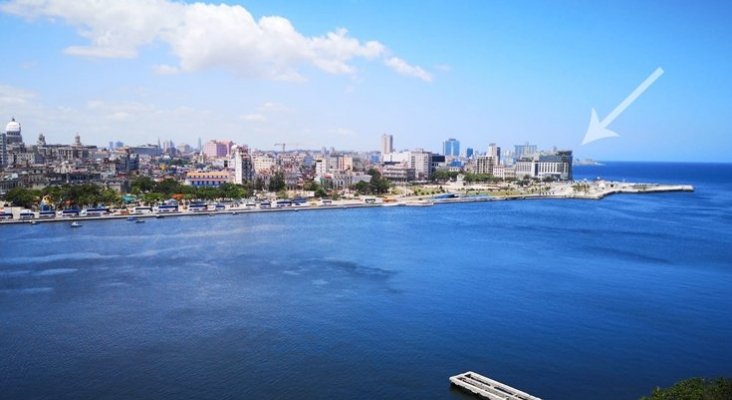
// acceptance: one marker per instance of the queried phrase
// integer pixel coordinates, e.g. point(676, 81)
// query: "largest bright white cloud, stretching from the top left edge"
point(204, 36)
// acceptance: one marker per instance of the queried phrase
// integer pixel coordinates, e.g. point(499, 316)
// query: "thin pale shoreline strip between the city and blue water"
point(594, 192)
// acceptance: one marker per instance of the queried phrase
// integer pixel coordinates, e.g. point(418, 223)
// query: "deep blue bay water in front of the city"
point(565, 299)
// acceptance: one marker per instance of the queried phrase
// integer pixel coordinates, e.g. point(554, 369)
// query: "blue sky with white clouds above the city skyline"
point(340, 73)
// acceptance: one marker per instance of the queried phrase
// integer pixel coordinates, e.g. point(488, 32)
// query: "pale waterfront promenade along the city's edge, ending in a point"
point(583, 191)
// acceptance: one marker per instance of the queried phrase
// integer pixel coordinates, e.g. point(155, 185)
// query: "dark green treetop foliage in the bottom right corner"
point(695, 389)
